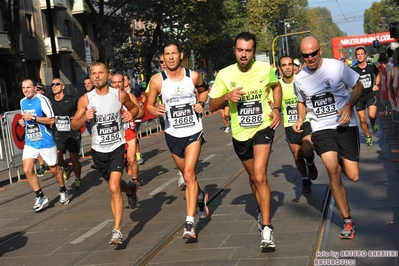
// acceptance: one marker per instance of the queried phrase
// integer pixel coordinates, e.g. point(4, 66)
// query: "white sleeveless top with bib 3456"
point(107, 128)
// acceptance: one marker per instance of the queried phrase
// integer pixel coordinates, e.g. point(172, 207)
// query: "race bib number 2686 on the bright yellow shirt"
point(250, 114)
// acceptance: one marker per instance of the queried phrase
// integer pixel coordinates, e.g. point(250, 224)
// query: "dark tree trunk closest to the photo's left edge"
point(12, 24)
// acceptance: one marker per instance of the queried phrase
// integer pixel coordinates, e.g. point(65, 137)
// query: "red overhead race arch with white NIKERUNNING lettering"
point(339, 43)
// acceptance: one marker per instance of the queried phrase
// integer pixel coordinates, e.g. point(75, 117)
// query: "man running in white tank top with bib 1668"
point(183, 126)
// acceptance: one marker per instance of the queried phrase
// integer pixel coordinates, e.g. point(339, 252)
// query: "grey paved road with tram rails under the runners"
point(78, 234)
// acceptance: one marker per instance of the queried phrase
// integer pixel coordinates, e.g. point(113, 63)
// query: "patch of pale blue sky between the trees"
point(347, 14)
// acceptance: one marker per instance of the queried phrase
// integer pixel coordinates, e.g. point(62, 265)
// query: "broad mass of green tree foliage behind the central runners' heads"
point(208, 28)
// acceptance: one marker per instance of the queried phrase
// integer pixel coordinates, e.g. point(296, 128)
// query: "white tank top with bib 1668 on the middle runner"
point(179, 97)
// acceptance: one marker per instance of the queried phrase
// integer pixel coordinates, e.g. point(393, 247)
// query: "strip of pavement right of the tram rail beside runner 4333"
point(374, 203)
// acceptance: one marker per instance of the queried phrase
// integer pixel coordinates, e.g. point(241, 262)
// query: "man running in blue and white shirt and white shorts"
point(37, 117)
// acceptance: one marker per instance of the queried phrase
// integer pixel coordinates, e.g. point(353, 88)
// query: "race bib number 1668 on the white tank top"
point(182, 115)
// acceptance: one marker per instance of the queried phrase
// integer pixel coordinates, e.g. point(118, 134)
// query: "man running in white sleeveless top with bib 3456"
point(102, 106)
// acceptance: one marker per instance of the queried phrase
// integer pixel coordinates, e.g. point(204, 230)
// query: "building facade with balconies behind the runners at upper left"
point(74, 32)
